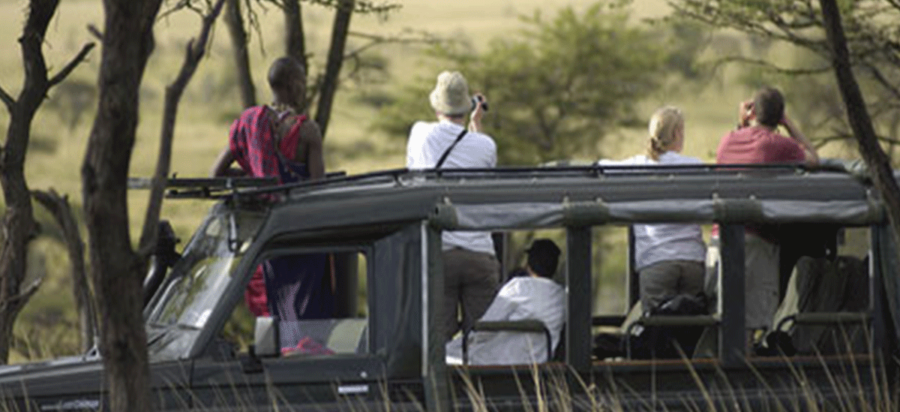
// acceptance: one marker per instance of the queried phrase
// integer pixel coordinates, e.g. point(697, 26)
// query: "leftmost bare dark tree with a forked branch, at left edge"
point(18, 224)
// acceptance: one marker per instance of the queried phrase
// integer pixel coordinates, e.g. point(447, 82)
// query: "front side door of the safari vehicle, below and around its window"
point(325, 362)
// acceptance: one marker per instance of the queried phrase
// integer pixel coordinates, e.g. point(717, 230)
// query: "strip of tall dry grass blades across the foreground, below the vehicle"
point(853, 381)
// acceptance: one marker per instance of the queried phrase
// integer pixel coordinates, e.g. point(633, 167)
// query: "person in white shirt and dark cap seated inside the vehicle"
point(532, 297)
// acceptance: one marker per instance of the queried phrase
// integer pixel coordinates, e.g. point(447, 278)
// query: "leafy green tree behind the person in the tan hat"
point(555, 89)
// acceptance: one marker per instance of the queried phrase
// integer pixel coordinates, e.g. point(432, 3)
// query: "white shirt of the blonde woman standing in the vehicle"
point(662, 242)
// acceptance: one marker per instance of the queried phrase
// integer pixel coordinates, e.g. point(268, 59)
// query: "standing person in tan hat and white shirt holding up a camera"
point(471, 271)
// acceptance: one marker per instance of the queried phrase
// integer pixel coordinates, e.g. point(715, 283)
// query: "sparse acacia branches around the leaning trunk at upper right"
point(873, 46)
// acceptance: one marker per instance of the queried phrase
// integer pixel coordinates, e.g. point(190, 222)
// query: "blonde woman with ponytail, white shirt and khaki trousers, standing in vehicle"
point(669, 258)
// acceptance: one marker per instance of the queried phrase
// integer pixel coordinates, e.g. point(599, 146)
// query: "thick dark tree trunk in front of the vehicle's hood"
point(116, 270)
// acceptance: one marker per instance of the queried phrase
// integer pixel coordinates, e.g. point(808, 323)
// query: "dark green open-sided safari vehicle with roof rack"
point(381, 352)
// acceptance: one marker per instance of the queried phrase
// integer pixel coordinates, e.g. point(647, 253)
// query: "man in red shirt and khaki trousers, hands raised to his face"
point(757, 140)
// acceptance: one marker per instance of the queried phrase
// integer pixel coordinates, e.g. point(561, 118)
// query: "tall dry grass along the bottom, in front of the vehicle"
point(558, 390)
